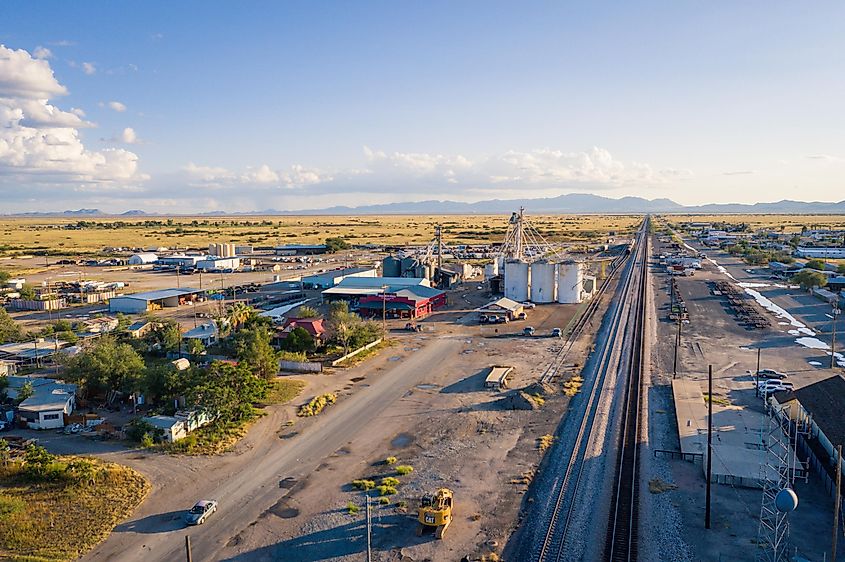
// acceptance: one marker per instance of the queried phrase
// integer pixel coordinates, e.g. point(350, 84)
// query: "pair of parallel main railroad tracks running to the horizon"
point(619, 534)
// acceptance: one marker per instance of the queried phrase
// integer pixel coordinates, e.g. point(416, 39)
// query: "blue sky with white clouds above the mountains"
point(185, 107)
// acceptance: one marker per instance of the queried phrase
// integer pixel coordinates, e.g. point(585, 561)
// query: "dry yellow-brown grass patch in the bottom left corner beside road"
point(61, 518)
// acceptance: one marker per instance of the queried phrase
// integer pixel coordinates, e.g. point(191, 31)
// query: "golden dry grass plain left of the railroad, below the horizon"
point(75, 236)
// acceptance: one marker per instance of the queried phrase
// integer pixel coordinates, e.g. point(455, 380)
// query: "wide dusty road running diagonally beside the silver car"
point(251, 484)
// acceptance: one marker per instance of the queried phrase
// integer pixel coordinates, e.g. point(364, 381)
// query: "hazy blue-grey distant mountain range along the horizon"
point(569, 203)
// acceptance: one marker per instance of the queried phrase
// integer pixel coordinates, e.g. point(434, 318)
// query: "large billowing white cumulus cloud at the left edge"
point(40, 143)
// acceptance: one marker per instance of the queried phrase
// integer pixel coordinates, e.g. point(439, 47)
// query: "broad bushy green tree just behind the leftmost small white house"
point(107, 365)
